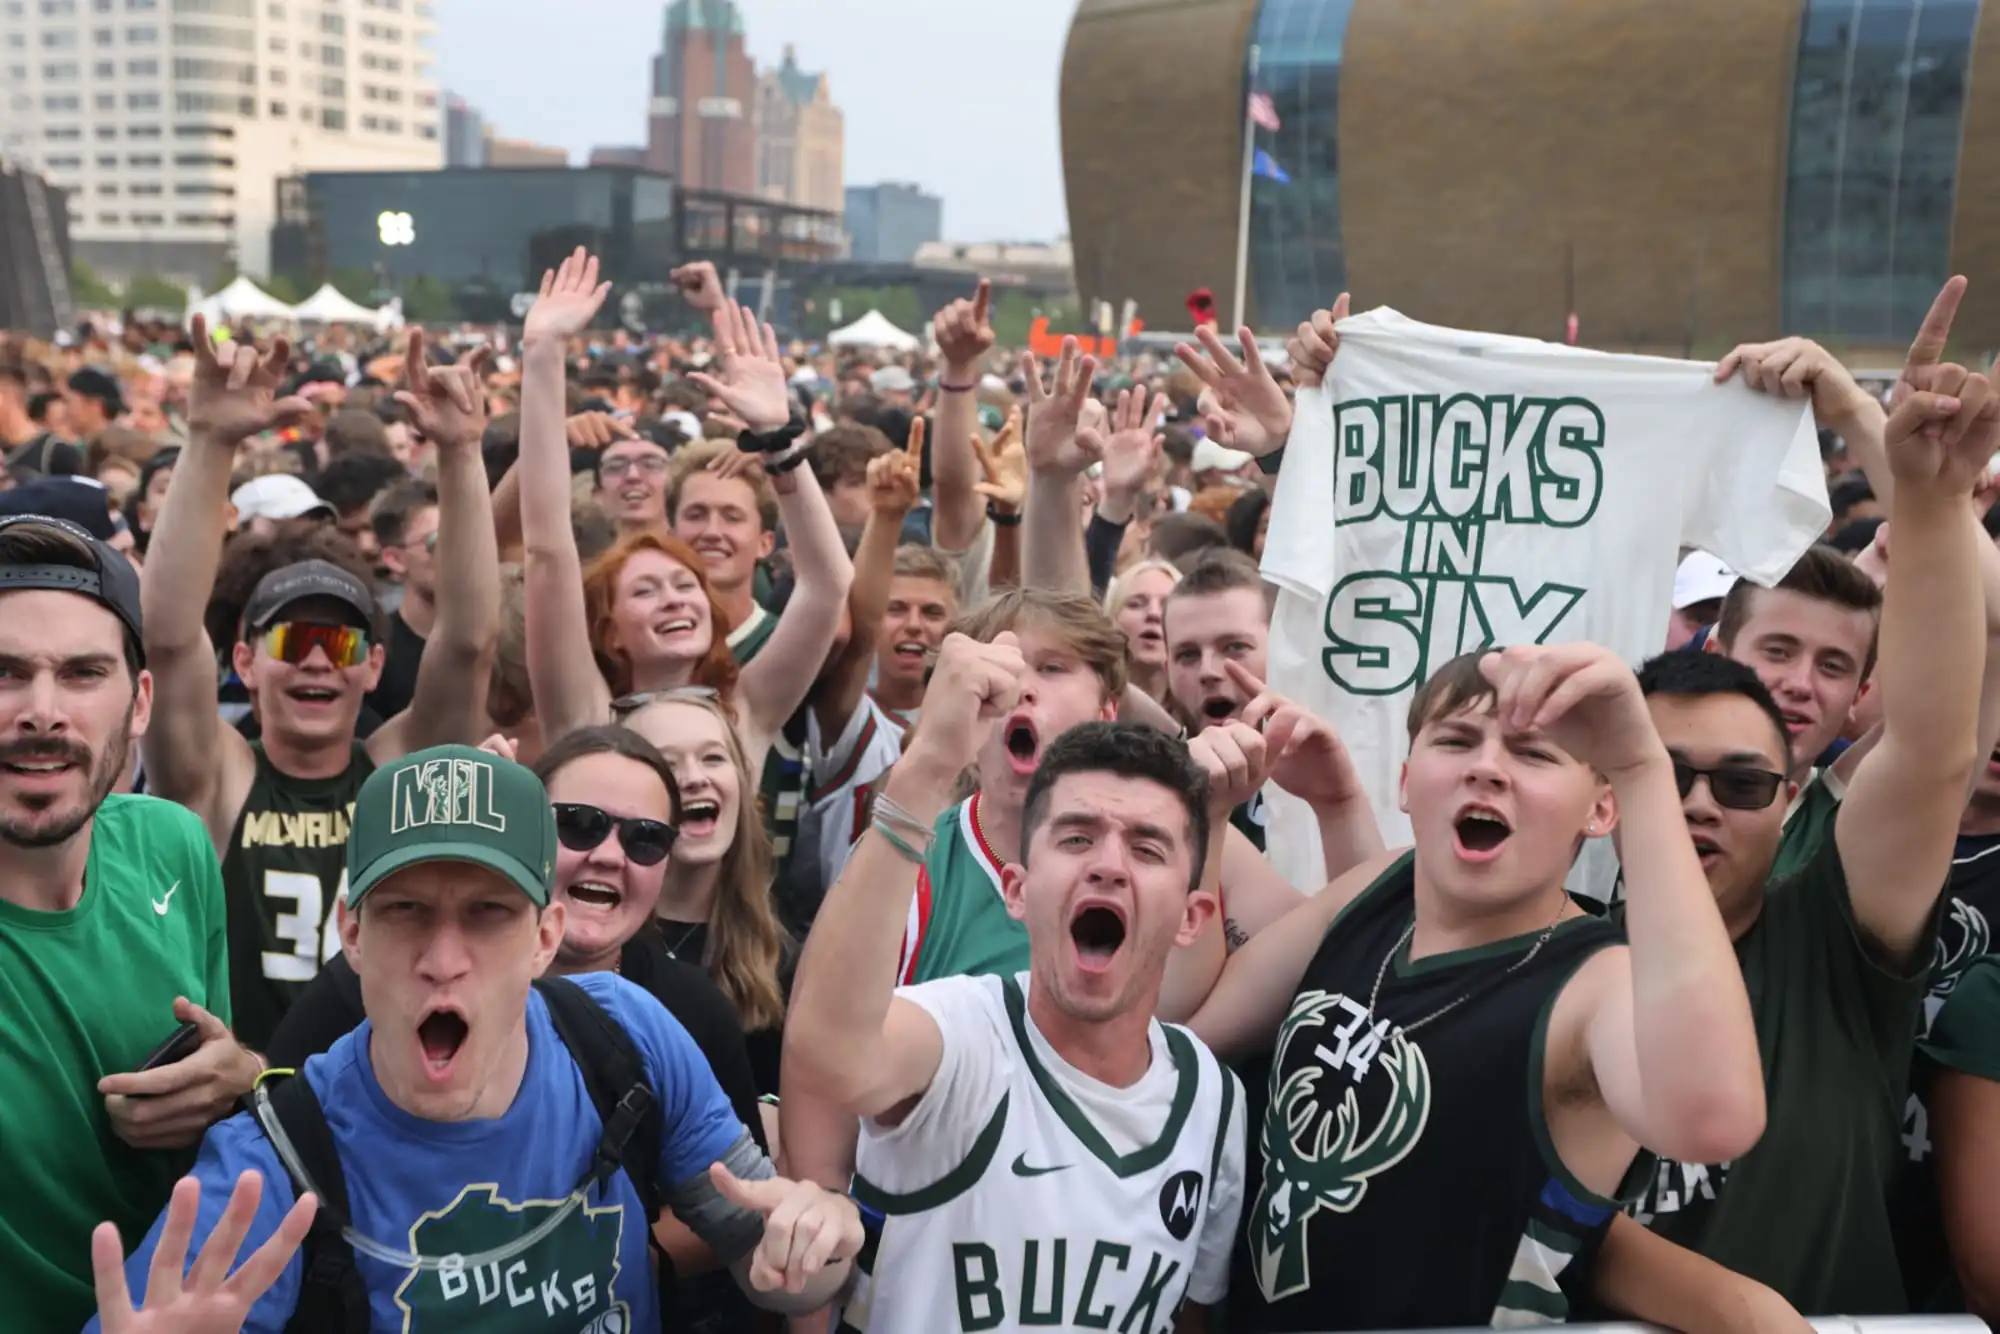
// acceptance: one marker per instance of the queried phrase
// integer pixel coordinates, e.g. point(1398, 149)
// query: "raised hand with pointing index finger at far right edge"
point(1945, 421)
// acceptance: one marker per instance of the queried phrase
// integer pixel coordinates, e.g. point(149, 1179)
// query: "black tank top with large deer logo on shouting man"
point(1407, 1177)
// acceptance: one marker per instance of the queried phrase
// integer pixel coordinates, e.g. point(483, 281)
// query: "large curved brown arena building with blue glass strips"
point(1679, 175)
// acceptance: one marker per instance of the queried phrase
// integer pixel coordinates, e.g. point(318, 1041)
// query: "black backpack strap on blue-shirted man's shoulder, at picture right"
point(615, 1075)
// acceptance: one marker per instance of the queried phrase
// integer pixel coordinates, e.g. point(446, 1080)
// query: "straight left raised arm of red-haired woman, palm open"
point(563, 675)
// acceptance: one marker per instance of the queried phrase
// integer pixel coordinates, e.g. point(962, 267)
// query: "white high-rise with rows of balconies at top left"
point(171, 121)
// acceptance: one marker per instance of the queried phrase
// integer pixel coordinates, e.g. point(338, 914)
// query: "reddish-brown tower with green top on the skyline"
point(701, 121)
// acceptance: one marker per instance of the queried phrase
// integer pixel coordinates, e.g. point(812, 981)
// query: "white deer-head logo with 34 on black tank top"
point(1319, 1157)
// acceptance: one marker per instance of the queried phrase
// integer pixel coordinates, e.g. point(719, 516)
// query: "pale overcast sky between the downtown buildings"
point(955, 95)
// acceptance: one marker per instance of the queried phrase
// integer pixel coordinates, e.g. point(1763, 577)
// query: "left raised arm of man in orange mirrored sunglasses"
point(193, 757)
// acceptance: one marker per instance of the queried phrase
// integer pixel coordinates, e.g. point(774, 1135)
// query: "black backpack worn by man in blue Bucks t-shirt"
point(333, 1297)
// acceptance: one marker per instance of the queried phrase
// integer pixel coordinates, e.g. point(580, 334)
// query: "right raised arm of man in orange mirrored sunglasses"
point(449, 703)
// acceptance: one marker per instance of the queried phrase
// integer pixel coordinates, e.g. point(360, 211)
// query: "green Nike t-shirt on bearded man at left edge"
point(83, 995)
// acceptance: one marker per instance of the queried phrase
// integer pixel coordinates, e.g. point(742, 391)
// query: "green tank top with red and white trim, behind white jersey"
point(959, 921)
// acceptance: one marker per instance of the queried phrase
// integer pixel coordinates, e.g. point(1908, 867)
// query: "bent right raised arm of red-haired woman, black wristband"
point(751, 387)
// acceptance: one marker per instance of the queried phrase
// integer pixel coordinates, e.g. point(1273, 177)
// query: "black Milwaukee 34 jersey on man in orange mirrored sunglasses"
point(285, 869)
